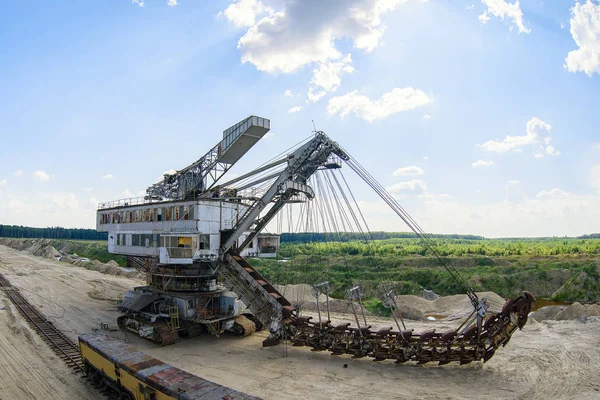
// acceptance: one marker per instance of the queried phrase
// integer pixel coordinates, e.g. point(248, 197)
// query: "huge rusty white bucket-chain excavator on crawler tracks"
point(190, 231)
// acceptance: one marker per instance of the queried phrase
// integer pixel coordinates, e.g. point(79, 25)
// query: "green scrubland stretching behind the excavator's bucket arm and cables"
point(559, 268)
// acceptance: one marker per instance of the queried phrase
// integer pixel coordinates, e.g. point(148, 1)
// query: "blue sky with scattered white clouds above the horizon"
point(479, 116)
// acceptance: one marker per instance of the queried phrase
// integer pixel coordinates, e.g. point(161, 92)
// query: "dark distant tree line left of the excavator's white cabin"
point(51, 232)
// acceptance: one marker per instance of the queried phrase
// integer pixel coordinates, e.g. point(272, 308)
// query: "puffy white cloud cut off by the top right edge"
point(585, 30)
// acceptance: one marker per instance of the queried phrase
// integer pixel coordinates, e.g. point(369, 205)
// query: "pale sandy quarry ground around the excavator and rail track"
point(547, 360)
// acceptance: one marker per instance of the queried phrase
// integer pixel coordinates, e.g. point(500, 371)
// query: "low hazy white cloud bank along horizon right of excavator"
point(544, 216)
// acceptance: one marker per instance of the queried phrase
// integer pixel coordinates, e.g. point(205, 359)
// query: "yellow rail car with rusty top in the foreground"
point(132, 375)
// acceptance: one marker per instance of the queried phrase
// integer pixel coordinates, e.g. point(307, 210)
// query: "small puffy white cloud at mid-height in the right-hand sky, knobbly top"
point(535, 127)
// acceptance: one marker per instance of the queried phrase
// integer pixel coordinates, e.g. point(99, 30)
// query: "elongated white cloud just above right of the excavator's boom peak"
point(399, 99)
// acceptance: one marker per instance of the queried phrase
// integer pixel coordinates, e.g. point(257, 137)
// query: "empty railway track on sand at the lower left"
point(55, 339)
